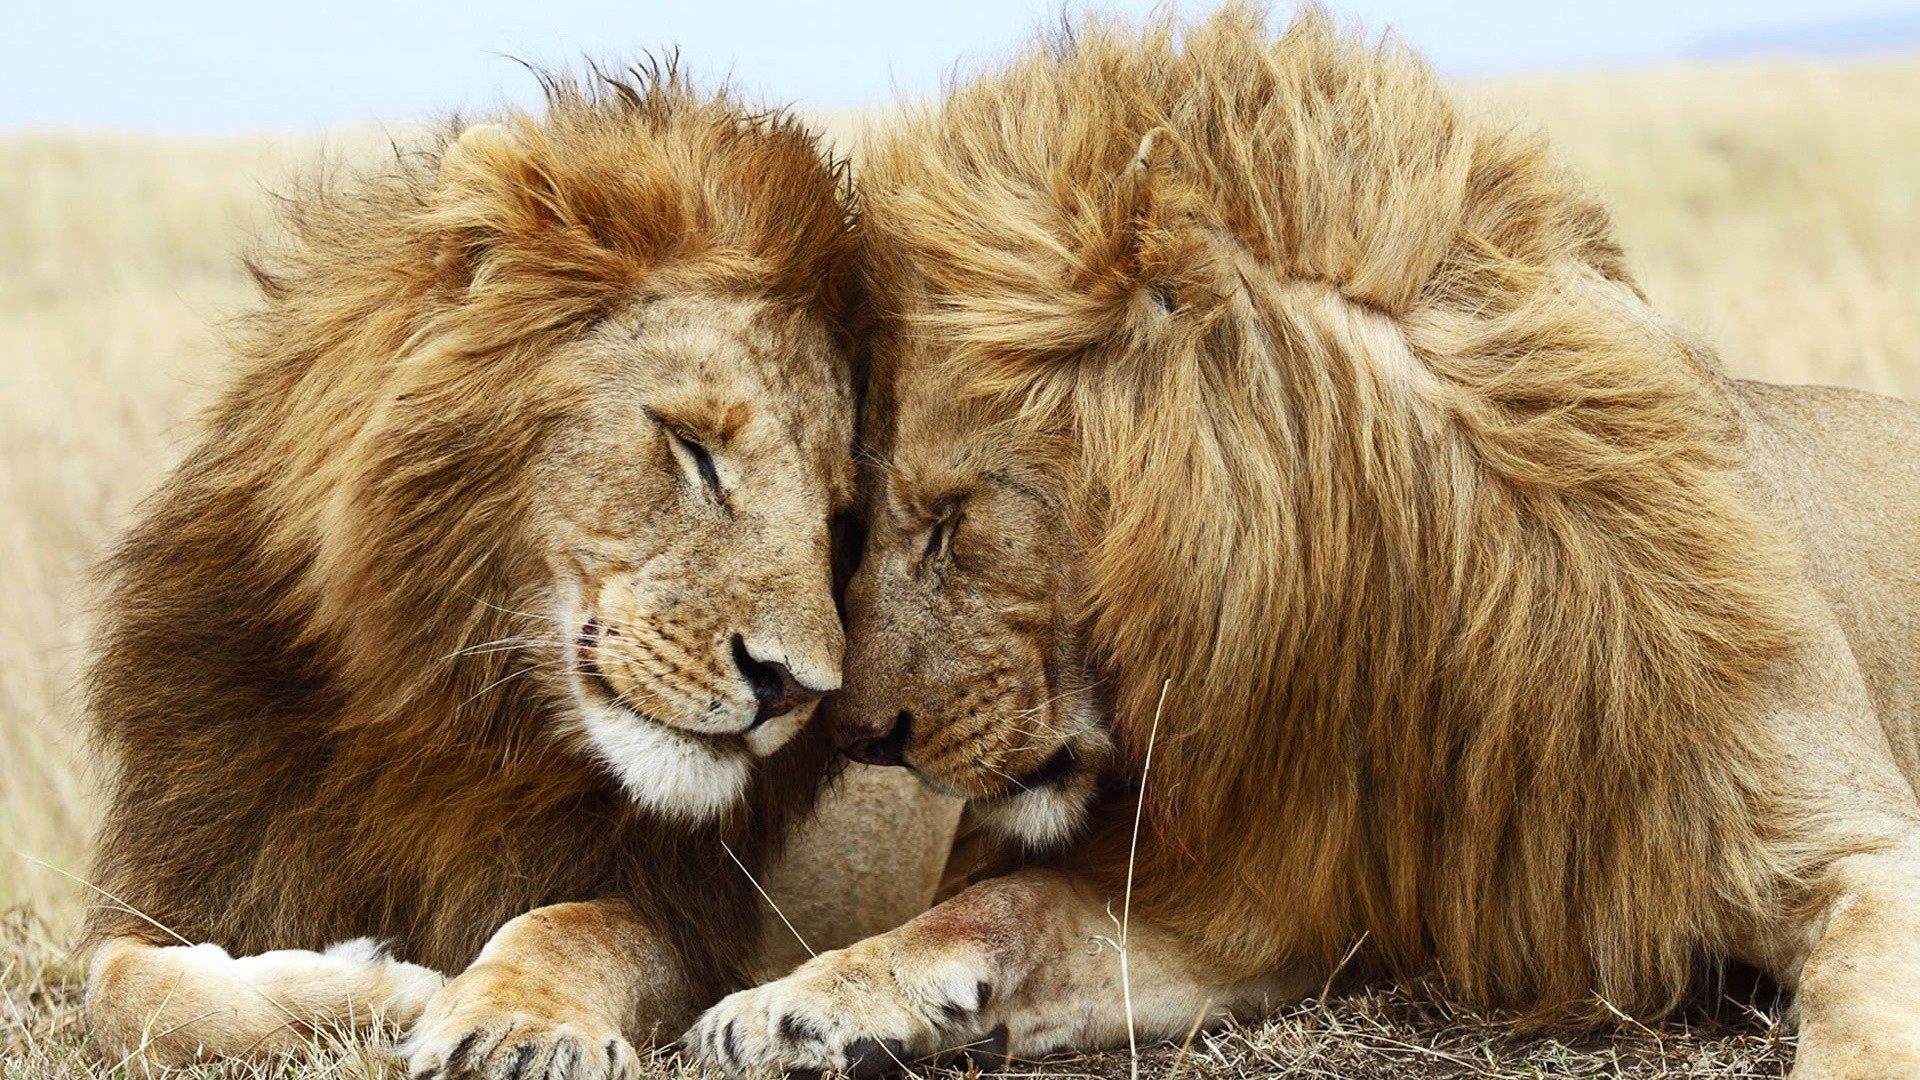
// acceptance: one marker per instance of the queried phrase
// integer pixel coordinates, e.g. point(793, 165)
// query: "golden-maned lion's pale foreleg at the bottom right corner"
point(1860, 991)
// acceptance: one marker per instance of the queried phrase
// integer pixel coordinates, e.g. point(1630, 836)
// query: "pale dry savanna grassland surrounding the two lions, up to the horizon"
point(1773, 207)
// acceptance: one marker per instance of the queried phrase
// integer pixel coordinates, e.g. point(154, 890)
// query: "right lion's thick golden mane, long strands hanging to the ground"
point(1389, 476)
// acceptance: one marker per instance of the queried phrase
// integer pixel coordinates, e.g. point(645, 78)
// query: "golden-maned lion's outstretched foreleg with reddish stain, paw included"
point(1020, 966)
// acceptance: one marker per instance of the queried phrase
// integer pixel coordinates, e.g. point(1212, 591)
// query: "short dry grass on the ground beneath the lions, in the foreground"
point(1374, 1033)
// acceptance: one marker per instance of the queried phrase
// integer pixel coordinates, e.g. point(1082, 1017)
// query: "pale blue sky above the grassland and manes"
point(210, 66)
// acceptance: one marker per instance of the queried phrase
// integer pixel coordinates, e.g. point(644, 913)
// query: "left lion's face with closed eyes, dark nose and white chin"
point(684, 512)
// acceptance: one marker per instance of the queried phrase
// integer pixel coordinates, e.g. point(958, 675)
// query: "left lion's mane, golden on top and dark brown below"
point(304, 747)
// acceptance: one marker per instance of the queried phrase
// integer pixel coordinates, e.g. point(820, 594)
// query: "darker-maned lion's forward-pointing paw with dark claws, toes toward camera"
point(481, 1029)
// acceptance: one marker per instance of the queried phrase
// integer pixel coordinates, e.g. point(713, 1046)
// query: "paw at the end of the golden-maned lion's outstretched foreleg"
point(836, 1014)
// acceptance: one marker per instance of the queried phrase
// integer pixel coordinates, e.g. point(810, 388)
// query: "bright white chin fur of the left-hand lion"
point(667, 772)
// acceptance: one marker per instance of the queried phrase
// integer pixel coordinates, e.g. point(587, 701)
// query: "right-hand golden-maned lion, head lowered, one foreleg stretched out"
point(1297, 531)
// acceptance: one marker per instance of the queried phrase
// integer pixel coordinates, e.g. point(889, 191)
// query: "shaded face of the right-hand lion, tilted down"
point(965, 647)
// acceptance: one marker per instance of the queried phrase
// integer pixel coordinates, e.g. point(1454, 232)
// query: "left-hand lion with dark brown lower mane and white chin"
point(481, 631)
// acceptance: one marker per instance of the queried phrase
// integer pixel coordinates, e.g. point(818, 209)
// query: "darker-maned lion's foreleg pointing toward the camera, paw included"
point(560, 993)
